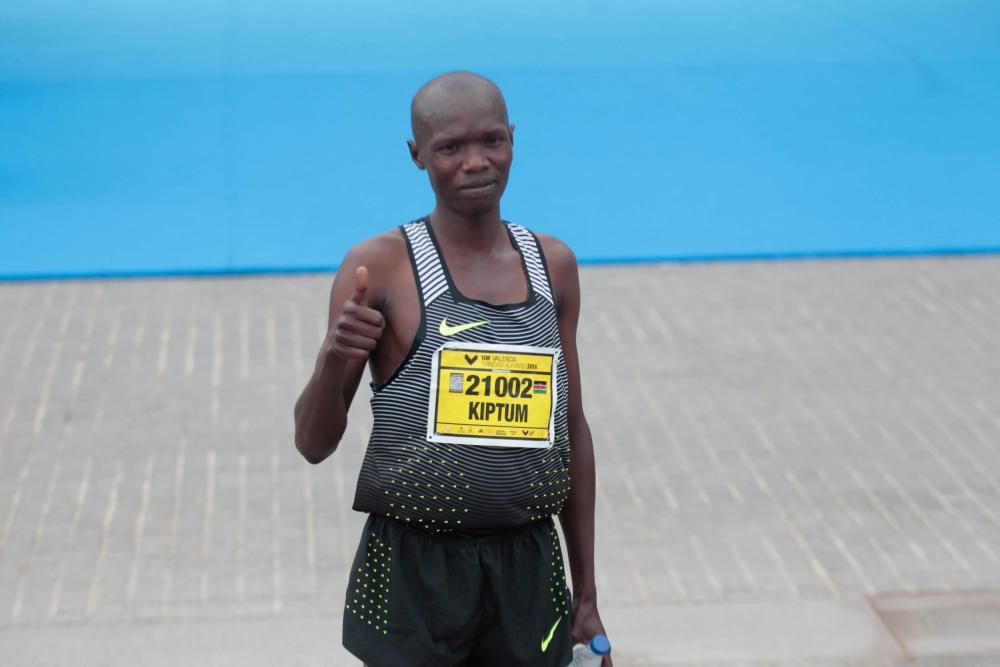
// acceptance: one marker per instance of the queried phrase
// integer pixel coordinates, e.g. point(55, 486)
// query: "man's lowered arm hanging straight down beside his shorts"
point(577, 517)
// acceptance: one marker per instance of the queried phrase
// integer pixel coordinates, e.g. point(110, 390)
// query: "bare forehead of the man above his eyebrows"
point(462, 112)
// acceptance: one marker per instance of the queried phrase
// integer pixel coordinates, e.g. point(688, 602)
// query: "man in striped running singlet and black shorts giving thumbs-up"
point(469, 325)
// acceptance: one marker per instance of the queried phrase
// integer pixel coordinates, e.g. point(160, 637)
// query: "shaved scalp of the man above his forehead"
point(435, 97)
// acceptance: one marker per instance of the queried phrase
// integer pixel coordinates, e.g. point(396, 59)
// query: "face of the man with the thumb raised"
point(466, 146)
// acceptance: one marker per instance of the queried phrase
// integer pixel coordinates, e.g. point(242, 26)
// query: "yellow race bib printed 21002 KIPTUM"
point(493, 395)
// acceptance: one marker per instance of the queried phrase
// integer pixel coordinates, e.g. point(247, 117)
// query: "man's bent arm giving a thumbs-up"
point(353, 332)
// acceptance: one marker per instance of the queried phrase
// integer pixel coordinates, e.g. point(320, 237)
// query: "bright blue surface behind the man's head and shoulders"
point(239, 135)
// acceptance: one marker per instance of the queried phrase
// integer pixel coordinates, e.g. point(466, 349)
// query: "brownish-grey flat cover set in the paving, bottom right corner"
point(942, 624)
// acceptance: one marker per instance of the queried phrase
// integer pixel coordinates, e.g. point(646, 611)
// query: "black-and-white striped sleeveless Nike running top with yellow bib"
point(470, 432)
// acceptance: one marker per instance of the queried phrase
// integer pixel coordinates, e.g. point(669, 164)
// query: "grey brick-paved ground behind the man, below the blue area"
point(780, 445)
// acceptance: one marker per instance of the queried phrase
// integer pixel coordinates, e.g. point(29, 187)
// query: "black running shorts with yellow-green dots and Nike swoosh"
point(415, 599)
